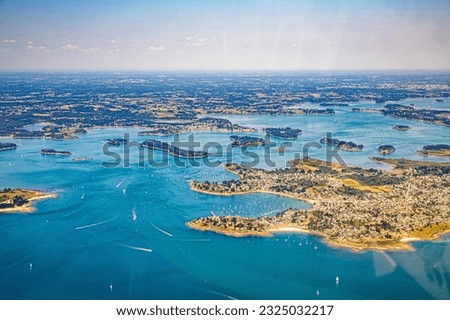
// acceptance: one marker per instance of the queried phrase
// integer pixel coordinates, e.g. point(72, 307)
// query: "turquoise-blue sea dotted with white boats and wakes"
point(119, 233)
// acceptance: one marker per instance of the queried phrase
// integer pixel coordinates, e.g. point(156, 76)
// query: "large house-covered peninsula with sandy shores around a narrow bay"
point(351, 207)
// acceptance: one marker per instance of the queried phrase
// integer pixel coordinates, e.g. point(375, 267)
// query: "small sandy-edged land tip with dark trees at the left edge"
point(20, 200)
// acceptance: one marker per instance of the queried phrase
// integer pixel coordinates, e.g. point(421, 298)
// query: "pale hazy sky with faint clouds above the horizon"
point(224, 35)
